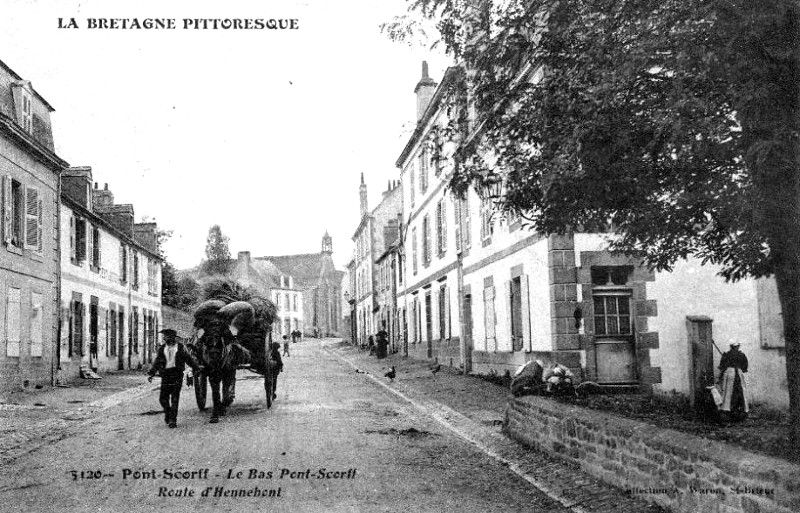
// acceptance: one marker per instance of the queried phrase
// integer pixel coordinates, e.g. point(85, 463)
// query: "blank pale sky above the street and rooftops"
point(264, 132)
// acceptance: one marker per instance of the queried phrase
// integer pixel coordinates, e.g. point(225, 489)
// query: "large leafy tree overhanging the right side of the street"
point(673, 121)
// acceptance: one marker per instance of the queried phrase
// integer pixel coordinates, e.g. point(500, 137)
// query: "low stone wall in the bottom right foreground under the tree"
point(682, 472)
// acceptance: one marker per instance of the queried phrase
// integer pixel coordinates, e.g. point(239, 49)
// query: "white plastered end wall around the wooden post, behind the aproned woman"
point(692, 289)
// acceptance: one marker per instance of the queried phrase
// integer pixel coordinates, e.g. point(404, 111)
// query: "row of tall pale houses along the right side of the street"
point(451, 278)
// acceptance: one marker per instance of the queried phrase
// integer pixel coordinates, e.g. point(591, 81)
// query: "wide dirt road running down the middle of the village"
point(334, 441)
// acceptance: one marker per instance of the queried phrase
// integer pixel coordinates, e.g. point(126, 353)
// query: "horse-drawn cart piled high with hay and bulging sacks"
point(233, 325)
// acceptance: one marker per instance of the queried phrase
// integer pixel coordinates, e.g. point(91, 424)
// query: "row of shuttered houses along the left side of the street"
point(80, 281)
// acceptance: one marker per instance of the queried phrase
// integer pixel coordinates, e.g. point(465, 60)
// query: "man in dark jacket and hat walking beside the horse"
point(171, 361)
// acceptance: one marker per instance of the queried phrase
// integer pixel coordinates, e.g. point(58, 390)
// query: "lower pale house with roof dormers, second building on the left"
point(110, 281)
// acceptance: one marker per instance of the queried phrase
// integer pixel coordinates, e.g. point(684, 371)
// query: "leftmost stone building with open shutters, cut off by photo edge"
point(29, 256)
